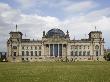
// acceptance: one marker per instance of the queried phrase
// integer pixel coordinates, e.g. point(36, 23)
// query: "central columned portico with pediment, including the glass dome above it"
point(56, 42)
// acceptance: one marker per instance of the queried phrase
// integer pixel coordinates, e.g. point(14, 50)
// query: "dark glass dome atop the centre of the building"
point(55, 32)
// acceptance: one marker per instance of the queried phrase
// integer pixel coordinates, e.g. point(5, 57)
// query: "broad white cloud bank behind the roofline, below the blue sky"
point(33, 25)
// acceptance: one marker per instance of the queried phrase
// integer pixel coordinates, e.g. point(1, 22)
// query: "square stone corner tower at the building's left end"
point(13, 45)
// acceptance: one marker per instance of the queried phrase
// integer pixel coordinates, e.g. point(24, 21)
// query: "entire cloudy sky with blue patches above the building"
point(79, 17)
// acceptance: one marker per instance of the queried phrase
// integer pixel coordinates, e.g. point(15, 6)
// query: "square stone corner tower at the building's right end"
point(97, 43)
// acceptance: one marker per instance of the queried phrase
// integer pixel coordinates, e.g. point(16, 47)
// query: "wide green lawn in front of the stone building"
point(55, 72)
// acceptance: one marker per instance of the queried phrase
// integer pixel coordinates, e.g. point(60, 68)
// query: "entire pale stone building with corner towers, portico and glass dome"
point(55, 46)
